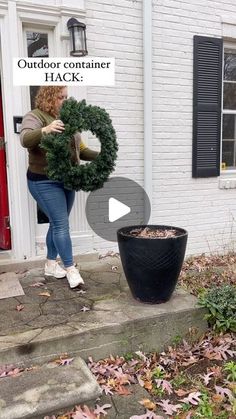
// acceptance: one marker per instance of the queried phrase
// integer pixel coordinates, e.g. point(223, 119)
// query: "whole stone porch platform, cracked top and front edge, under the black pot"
point(103, 320)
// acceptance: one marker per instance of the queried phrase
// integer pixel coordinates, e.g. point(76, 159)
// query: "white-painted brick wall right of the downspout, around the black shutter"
point(198, 205)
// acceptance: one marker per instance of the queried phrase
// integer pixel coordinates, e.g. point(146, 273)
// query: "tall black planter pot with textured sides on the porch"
point(152, 265)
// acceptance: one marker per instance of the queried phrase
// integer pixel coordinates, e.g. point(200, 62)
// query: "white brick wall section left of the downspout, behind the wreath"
point(115, 30)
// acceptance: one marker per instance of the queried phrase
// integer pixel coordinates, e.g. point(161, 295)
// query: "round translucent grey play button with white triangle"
point(120, 203)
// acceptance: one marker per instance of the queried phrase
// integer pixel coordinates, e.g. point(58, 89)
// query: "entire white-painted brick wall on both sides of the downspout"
point(115, 29)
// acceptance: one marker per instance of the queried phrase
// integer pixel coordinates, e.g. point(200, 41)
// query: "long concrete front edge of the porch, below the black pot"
point(103, 340)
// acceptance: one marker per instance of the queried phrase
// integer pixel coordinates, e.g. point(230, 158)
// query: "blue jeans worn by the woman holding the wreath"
point(56, 202)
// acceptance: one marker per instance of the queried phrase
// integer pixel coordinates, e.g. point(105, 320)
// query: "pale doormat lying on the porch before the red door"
point(10, 285)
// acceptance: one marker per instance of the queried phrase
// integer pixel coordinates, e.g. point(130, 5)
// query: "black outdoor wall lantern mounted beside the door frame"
point(77, 37)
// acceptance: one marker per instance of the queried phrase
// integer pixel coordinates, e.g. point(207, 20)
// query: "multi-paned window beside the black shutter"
point(229, 110)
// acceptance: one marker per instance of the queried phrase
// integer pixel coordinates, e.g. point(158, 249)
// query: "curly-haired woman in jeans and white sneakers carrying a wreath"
point(51, 196)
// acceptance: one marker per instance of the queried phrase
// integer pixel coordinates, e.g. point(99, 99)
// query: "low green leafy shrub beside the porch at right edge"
point(221, 304)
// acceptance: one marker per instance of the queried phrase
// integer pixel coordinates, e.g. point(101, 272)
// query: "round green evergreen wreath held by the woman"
point(78, 117)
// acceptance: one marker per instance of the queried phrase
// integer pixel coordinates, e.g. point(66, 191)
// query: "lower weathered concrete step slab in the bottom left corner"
point(46, 390)
